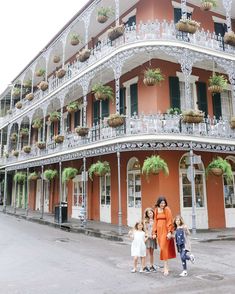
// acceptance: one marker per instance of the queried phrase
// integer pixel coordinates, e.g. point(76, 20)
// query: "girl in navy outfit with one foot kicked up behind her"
point(183, 243)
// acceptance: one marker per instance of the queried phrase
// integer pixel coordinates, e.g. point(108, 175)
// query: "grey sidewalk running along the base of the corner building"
point(108, 231)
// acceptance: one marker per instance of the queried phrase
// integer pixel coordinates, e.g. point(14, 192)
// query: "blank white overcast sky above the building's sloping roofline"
point(26, 26)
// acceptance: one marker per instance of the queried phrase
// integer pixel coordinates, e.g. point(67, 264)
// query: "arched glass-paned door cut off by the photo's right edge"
point(229, 197)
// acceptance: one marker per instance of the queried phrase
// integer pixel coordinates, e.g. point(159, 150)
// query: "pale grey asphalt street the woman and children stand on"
point(41, 259)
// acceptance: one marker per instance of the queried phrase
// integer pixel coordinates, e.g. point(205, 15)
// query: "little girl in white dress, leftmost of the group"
point(138, 247)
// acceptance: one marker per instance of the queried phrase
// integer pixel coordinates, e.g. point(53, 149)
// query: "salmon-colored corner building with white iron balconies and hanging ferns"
point(54, 118)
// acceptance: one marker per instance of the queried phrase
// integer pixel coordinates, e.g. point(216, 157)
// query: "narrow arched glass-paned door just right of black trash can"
point(77, 196)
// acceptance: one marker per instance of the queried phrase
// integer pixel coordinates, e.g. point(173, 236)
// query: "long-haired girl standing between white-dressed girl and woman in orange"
point(151, 243)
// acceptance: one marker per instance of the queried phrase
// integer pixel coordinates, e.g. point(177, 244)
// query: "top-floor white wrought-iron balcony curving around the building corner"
point(152, 33)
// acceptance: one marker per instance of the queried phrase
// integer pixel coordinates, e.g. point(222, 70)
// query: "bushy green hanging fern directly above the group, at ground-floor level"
point(153, 165)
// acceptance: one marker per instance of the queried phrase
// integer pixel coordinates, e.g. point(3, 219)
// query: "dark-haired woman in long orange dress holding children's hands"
point(163, 229)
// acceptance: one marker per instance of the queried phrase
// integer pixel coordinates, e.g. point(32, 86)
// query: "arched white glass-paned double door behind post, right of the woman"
point(200, 195)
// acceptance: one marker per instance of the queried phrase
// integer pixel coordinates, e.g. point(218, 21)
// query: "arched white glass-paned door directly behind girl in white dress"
point(134, 199)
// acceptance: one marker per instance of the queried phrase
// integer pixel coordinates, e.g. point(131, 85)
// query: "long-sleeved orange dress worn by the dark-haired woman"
point(162, 225)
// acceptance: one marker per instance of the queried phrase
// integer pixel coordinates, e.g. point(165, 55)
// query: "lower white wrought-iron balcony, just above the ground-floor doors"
point(144, 128)
